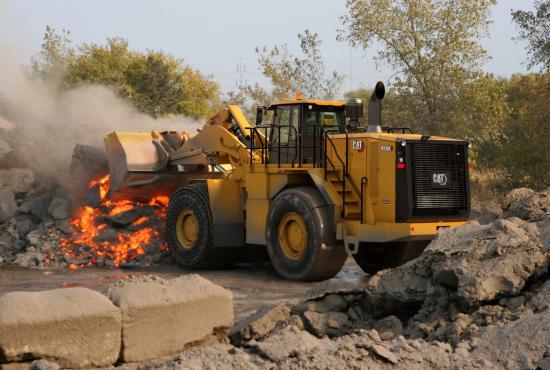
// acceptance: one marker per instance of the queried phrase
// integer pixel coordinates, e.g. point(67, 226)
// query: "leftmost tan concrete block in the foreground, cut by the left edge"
point(75, 327)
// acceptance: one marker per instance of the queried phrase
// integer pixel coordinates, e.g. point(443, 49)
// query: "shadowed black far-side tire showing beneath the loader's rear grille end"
point(373, 257)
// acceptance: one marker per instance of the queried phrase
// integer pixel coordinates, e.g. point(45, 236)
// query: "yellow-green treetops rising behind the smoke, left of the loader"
point(156, 83)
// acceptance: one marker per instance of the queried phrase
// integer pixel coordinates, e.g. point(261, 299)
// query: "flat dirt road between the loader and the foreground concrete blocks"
point(252, 285)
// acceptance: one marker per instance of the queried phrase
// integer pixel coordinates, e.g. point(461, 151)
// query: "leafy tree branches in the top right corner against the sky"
point(534, 27)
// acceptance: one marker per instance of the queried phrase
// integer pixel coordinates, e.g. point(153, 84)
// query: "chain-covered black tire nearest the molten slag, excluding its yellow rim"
point(203, 255)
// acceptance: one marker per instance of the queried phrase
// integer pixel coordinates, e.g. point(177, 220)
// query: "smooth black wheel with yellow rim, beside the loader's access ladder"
point(300, 235)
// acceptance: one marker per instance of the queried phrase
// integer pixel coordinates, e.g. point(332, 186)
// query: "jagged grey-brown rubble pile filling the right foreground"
point(479, 297)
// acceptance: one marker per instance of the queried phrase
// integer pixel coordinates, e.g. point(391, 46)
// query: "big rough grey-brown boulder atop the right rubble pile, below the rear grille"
point(486, 262)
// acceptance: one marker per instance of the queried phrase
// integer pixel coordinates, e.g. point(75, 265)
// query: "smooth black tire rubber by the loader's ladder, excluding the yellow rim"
point(324, 255)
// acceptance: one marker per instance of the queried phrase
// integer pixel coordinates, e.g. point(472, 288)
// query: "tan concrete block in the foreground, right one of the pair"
point(162, 317)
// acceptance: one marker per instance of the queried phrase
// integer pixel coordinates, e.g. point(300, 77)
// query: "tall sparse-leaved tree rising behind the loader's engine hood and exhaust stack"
point(432, 44)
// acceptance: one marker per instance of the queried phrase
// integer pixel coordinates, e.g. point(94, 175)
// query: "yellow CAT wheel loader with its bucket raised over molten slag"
point(312, 186)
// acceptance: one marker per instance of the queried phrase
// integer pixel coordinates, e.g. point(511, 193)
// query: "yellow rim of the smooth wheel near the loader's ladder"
point(293, 236)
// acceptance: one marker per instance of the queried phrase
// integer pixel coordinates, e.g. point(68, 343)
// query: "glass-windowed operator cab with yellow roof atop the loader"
point(298, 127)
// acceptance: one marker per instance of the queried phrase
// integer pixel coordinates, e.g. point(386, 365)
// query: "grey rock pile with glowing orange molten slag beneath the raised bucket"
point(42, 222)
